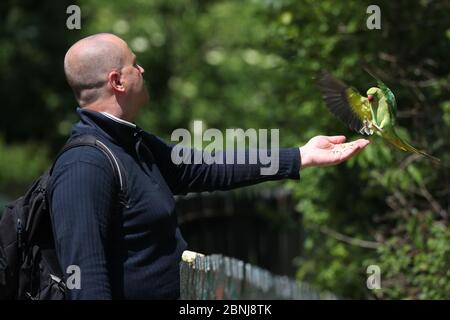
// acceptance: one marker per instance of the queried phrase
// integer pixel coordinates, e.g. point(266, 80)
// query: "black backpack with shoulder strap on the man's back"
point(29, 268)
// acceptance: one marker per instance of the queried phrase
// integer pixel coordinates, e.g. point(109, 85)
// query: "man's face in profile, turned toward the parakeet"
point(133, 78)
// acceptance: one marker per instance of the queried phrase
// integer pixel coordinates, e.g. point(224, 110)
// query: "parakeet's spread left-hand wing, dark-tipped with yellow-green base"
point(345, 102)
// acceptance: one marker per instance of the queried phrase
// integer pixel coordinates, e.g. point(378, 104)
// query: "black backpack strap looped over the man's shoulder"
point(92, 141)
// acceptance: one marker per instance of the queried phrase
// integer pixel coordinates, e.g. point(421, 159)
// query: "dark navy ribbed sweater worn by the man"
point(134, 252)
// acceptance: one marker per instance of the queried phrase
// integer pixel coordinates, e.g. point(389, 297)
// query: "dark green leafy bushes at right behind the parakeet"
point(375, 195)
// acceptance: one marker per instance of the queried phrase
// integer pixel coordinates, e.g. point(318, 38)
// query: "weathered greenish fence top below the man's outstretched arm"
point(217, 277)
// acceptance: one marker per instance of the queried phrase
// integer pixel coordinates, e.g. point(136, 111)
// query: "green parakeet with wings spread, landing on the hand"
point(367, 115)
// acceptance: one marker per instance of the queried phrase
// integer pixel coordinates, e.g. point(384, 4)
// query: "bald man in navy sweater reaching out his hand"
point(135, 253)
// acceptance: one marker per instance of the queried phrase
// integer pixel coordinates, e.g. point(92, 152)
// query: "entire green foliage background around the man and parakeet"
point(253, 64)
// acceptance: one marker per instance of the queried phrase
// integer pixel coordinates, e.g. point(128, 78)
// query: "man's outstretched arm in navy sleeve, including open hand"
point(183, 178)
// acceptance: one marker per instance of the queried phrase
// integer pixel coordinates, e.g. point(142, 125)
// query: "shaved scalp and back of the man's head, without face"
point(88, 62)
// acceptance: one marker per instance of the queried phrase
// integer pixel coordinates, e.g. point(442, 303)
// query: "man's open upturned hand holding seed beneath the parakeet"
point(326, 150)
